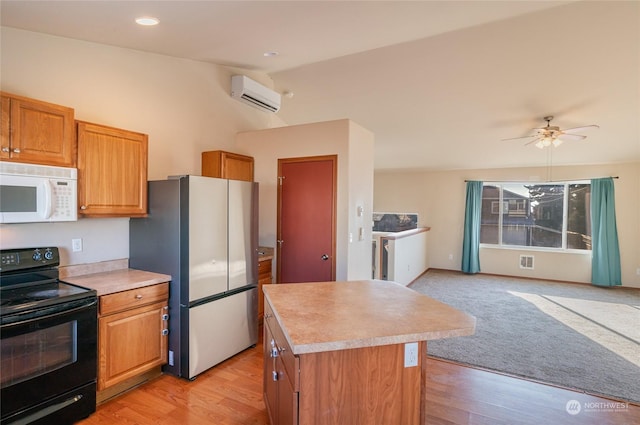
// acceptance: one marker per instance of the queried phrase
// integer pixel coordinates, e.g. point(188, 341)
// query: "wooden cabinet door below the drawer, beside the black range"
point(131, 343)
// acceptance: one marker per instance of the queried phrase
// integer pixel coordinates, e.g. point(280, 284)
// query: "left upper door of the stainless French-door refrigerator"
point(208, 261)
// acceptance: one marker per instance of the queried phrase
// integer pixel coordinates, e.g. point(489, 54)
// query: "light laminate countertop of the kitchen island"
point(328, 316)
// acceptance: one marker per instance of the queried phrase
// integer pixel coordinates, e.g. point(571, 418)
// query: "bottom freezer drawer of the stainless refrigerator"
point(222, 328)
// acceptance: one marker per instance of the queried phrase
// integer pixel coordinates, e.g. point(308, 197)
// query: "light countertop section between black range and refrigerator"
point(117, 280)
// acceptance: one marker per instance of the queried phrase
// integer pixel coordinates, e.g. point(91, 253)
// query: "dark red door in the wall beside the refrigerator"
point(306, 219)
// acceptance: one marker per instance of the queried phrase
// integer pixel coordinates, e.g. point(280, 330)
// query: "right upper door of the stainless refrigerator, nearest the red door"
point(240, 215)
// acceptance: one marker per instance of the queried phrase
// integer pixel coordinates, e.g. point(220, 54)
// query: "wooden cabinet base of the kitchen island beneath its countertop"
point(363, 385)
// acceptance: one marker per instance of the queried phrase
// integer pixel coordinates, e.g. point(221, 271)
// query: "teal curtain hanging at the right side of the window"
point(605, 262)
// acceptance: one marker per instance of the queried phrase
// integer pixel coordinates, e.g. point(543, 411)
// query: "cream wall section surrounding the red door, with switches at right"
point(354, 147)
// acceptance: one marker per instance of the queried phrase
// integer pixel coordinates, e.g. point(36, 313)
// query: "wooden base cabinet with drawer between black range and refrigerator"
point(132, 335)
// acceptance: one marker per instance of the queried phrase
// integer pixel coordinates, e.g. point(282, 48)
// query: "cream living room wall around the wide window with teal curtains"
point(439, 199)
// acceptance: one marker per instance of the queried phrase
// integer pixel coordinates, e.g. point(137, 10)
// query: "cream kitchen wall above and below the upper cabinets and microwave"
point(184, 106)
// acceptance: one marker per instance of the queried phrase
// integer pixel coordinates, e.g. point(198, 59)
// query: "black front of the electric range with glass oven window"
point(45, 354)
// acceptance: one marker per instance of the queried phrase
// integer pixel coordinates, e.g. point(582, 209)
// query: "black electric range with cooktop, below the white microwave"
point(48, 341)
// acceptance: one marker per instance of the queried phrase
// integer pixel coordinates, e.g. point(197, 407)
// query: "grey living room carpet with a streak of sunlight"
point(573, 335)
